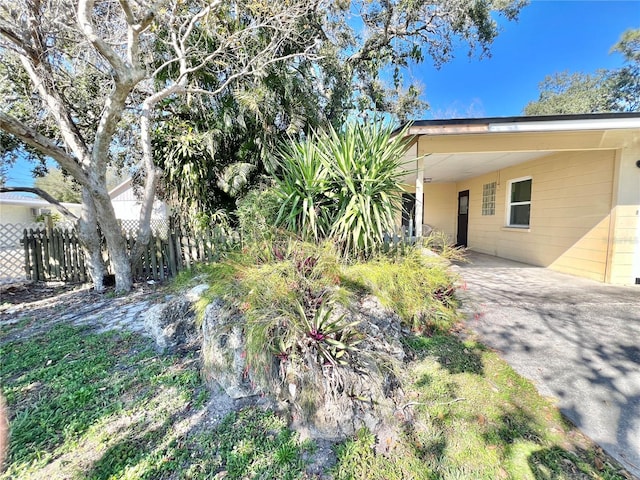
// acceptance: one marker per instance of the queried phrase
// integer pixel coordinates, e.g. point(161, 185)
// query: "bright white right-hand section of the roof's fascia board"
point(565, 125)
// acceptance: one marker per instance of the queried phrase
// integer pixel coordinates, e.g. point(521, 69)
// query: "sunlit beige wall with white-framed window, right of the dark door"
point(570, 213)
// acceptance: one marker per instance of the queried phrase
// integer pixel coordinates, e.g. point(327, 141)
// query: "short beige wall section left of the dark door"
point(440, 207)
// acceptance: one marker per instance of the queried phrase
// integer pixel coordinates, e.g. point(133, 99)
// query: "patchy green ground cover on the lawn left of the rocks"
point(106, 406)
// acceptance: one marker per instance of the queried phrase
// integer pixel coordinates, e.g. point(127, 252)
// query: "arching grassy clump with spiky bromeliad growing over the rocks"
point(286, 301)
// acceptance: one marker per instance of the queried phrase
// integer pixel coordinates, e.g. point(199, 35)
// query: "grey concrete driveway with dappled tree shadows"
point(577, 340)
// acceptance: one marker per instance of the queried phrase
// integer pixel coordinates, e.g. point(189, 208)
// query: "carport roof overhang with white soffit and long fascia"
point(458, 161)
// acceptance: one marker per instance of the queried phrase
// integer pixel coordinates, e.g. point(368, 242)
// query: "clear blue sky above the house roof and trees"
point(550, 36)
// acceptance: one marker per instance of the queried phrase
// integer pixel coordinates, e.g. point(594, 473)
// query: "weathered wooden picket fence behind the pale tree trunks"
point(53, 254)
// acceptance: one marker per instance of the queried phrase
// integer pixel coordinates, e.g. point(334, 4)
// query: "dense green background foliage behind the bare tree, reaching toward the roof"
point(211, 147)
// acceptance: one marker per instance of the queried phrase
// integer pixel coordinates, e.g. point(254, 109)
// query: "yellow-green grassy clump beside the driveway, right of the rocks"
point(419, 288)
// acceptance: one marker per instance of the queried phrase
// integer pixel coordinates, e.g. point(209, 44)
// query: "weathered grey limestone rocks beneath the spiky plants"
point(323, 400)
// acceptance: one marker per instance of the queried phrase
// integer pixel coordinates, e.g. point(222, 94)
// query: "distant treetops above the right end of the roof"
point(616, 90)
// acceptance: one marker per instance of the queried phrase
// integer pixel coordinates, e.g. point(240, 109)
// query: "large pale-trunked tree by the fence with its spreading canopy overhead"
point(86, 83)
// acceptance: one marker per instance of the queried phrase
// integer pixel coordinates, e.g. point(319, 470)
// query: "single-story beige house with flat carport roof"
point(558, 191)
